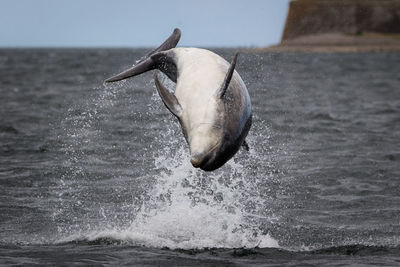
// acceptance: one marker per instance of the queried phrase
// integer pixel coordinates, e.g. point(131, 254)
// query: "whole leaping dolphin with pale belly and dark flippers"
point(210, 101)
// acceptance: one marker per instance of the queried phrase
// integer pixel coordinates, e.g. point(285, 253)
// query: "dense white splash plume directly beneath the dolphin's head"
point(190, 209)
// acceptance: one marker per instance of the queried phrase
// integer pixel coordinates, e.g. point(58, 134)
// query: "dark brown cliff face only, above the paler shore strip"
point(308, 17)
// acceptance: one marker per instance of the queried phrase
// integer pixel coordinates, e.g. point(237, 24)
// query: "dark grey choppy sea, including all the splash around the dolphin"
point(95, 174)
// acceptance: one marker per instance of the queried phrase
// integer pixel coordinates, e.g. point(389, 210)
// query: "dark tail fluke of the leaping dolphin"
point(147, 62)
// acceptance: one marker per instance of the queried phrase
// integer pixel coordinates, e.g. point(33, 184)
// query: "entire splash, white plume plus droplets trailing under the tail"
point(179, 206)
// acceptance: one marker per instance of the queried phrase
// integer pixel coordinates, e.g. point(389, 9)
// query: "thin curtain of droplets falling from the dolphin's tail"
point(79, 131)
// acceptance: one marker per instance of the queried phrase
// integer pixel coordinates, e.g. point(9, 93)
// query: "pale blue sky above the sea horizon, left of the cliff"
point(145, 23)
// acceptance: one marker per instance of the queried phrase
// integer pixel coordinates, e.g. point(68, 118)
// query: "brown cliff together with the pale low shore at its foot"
point(341, 26)
